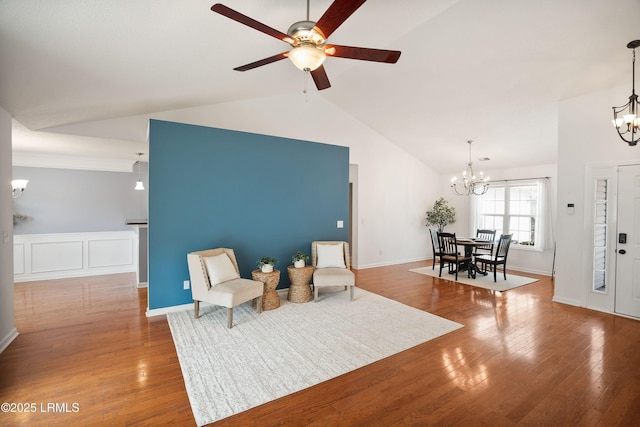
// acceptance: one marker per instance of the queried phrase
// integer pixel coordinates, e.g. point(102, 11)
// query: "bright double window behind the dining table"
point(513, 208)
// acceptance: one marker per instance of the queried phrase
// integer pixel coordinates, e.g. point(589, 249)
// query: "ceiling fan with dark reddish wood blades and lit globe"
point(309, 41)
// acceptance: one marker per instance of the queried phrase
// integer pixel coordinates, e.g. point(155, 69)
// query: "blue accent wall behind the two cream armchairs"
point(259, 195)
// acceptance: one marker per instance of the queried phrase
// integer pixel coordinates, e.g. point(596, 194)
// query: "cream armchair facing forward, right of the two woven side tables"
point(332, 266)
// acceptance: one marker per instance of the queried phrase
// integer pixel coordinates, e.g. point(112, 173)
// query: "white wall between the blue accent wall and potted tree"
point(395, 190)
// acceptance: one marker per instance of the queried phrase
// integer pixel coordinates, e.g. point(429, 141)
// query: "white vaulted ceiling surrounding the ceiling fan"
point(83, 77)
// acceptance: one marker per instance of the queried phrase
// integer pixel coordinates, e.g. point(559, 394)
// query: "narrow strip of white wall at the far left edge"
point(7, 328)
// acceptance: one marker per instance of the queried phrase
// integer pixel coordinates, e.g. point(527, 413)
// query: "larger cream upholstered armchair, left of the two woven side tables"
point(215, 279)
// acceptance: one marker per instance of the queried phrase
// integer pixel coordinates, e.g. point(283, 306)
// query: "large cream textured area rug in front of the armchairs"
point(278, 352)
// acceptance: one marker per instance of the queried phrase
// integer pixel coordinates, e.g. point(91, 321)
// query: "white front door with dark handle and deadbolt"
point(627, 299)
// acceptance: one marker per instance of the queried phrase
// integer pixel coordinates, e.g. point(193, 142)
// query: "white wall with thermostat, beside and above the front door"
point(586, 138)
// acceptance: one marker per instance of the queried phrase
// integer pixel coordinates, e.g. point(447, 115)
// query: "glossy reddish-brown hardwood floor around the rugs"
point(86, 346)
